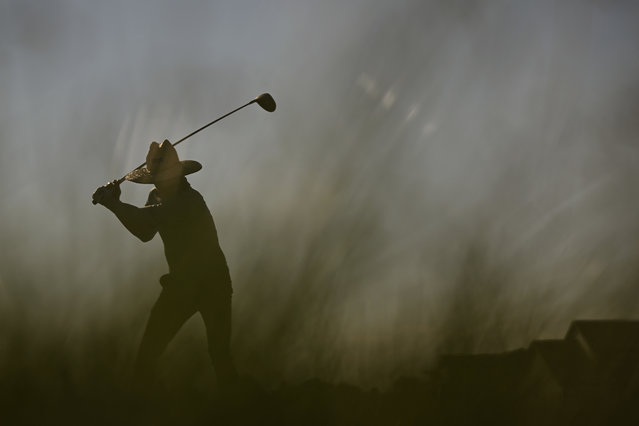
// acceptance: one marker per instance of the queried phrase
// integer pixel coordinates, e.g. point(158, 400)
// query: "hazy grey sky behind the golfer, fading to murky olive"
point(439, 175)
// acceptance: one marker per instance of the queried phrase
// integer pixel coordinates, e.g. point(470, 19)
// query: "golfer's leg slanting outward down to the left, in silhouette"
point(169, 313)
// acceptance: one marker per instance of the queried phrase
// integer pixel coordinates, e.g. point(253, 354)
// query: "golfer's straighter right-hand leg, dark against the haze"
point(216, 313)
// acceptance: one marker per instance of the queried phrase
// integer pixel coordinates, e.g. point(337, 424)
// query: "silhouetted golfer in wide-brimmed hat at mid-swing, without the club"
point(198, 278)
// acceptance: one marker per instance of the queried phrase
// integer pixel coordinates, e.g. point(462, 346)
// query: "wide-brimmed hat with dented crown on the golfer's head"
point(162, 163)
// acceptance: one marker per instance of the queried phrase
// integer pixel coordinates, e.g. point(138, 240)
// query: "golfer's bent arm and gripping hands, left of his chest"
point(138, 221)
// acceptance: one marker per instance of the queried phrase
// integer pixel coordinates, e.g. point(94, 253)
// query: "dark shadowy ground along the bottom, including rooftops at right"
point(591, 377)
